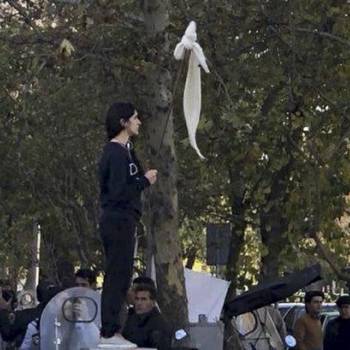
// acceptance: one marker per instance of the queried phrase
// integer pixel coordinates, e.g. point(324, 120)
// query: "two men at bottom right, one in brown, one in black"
point(308, 328)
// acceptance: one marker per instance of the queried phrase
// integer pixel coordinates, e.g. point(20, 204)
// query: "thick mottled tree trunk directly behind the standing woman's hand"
point(163, 209)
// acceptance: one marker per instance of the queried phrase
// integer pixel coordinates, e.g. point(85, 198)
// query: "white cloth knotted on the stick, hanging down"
point(192, 99)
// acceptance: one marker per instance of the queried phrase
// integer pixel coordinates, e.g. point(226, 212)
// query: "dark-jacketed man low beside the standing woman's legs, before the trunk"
point(146, 327)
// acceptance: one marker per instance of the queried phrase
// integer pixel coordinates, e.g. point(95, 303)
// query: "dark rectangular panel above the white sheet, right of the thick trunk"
point(218, 247)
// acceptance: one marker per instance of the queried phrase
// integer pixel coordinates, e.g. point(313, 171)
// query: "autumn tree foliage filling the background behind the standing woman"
point(275, 125)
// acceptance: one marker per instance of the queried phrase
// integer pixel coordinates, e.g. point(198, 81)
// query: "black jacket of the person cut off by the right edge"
point(337, 335)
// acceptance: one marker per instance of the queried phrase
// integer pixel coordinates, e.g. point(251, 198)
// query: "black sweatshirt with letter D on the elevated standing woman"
point(121, 180)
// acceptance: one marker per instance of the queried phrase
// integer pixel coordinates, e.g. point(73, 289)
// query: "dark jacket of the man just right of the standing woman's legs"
point(148, 330)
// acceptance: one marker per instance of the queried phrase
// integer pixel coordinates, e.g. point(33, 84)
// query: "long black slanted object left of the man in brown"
point(272, 292)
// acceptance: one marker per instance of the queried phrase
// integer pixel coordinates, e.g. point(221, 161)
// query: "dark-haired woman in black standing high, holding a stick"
point(122, 181)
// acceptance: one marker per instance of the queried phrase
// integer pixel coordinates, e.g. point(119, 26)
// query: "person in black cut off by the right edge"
point(337, 335)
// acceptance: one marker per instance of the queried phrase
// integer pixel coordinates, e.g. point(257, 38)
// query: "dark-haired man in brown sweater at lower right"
point(308, 329)
